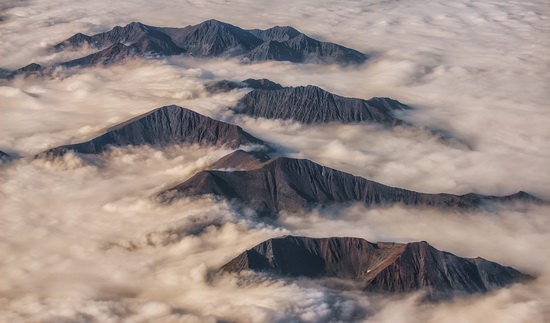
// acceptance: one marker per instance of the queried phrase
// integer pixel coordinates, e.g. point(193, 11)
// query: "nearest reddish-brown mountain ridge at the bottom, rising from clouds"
point(376, 267)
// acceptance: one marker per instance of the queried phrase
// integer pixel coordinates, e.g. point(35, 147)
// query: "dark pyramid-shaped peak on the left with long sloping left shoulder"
point(162, 127)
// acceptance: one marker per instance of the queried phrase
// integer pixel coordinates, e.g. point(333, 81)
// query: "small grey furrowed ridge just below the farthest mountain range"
point(311, 104)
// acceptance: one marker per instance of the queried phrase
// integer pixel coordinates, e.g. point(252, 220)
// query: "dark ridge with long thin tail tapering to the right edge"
point(270, 186)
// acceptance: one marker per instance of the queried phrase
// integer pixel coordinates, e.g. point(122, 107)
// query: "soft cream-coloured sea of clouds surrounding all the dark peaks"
point(84, 240)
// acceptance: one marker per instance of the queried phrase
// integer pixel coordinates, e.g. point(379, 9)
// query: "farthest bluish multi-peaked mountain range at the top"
point(211, 38)
